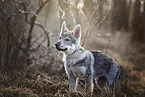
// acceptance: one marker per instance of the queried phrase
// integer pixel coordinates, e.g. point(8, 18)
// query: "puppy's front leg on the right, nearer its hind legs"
point(89, 83)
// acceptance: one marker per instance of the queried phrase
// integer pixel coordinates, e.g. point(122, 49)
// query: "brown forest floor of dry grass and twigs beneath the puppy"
point(34, 83)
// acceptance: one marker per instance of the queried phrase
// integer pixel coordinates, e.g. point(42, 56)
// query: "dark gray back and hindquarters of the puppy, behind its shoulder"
point(106, 66)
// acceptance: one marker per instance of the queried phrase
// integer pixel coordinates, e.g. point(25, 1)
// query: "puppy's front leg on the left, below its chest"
point(72, 82)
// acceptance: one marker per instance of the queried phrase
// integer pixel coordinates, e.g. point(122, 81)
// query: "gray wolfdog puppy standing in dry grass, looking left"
point(81, 63)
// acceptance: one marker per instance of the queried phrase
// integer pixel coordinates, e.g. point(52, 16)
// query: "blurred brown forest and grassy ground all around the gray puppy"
point(30, 66)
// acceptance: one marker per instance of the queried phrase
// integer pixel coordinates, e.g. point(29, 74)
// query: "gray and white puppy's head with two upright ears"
point(69, 40)
